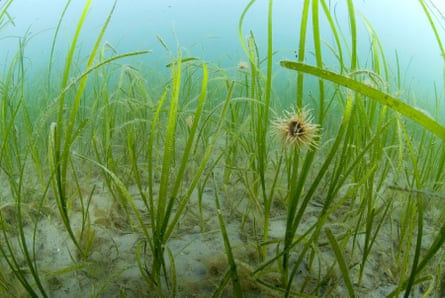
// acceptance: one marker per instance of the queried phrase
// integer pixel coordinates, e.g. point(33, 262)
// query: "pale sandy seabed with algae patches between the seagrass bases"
point(111, 269)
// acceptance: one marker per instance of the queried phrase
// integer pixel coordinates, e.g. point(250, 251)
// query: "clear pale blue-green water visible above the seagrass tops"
point(209, 30)
